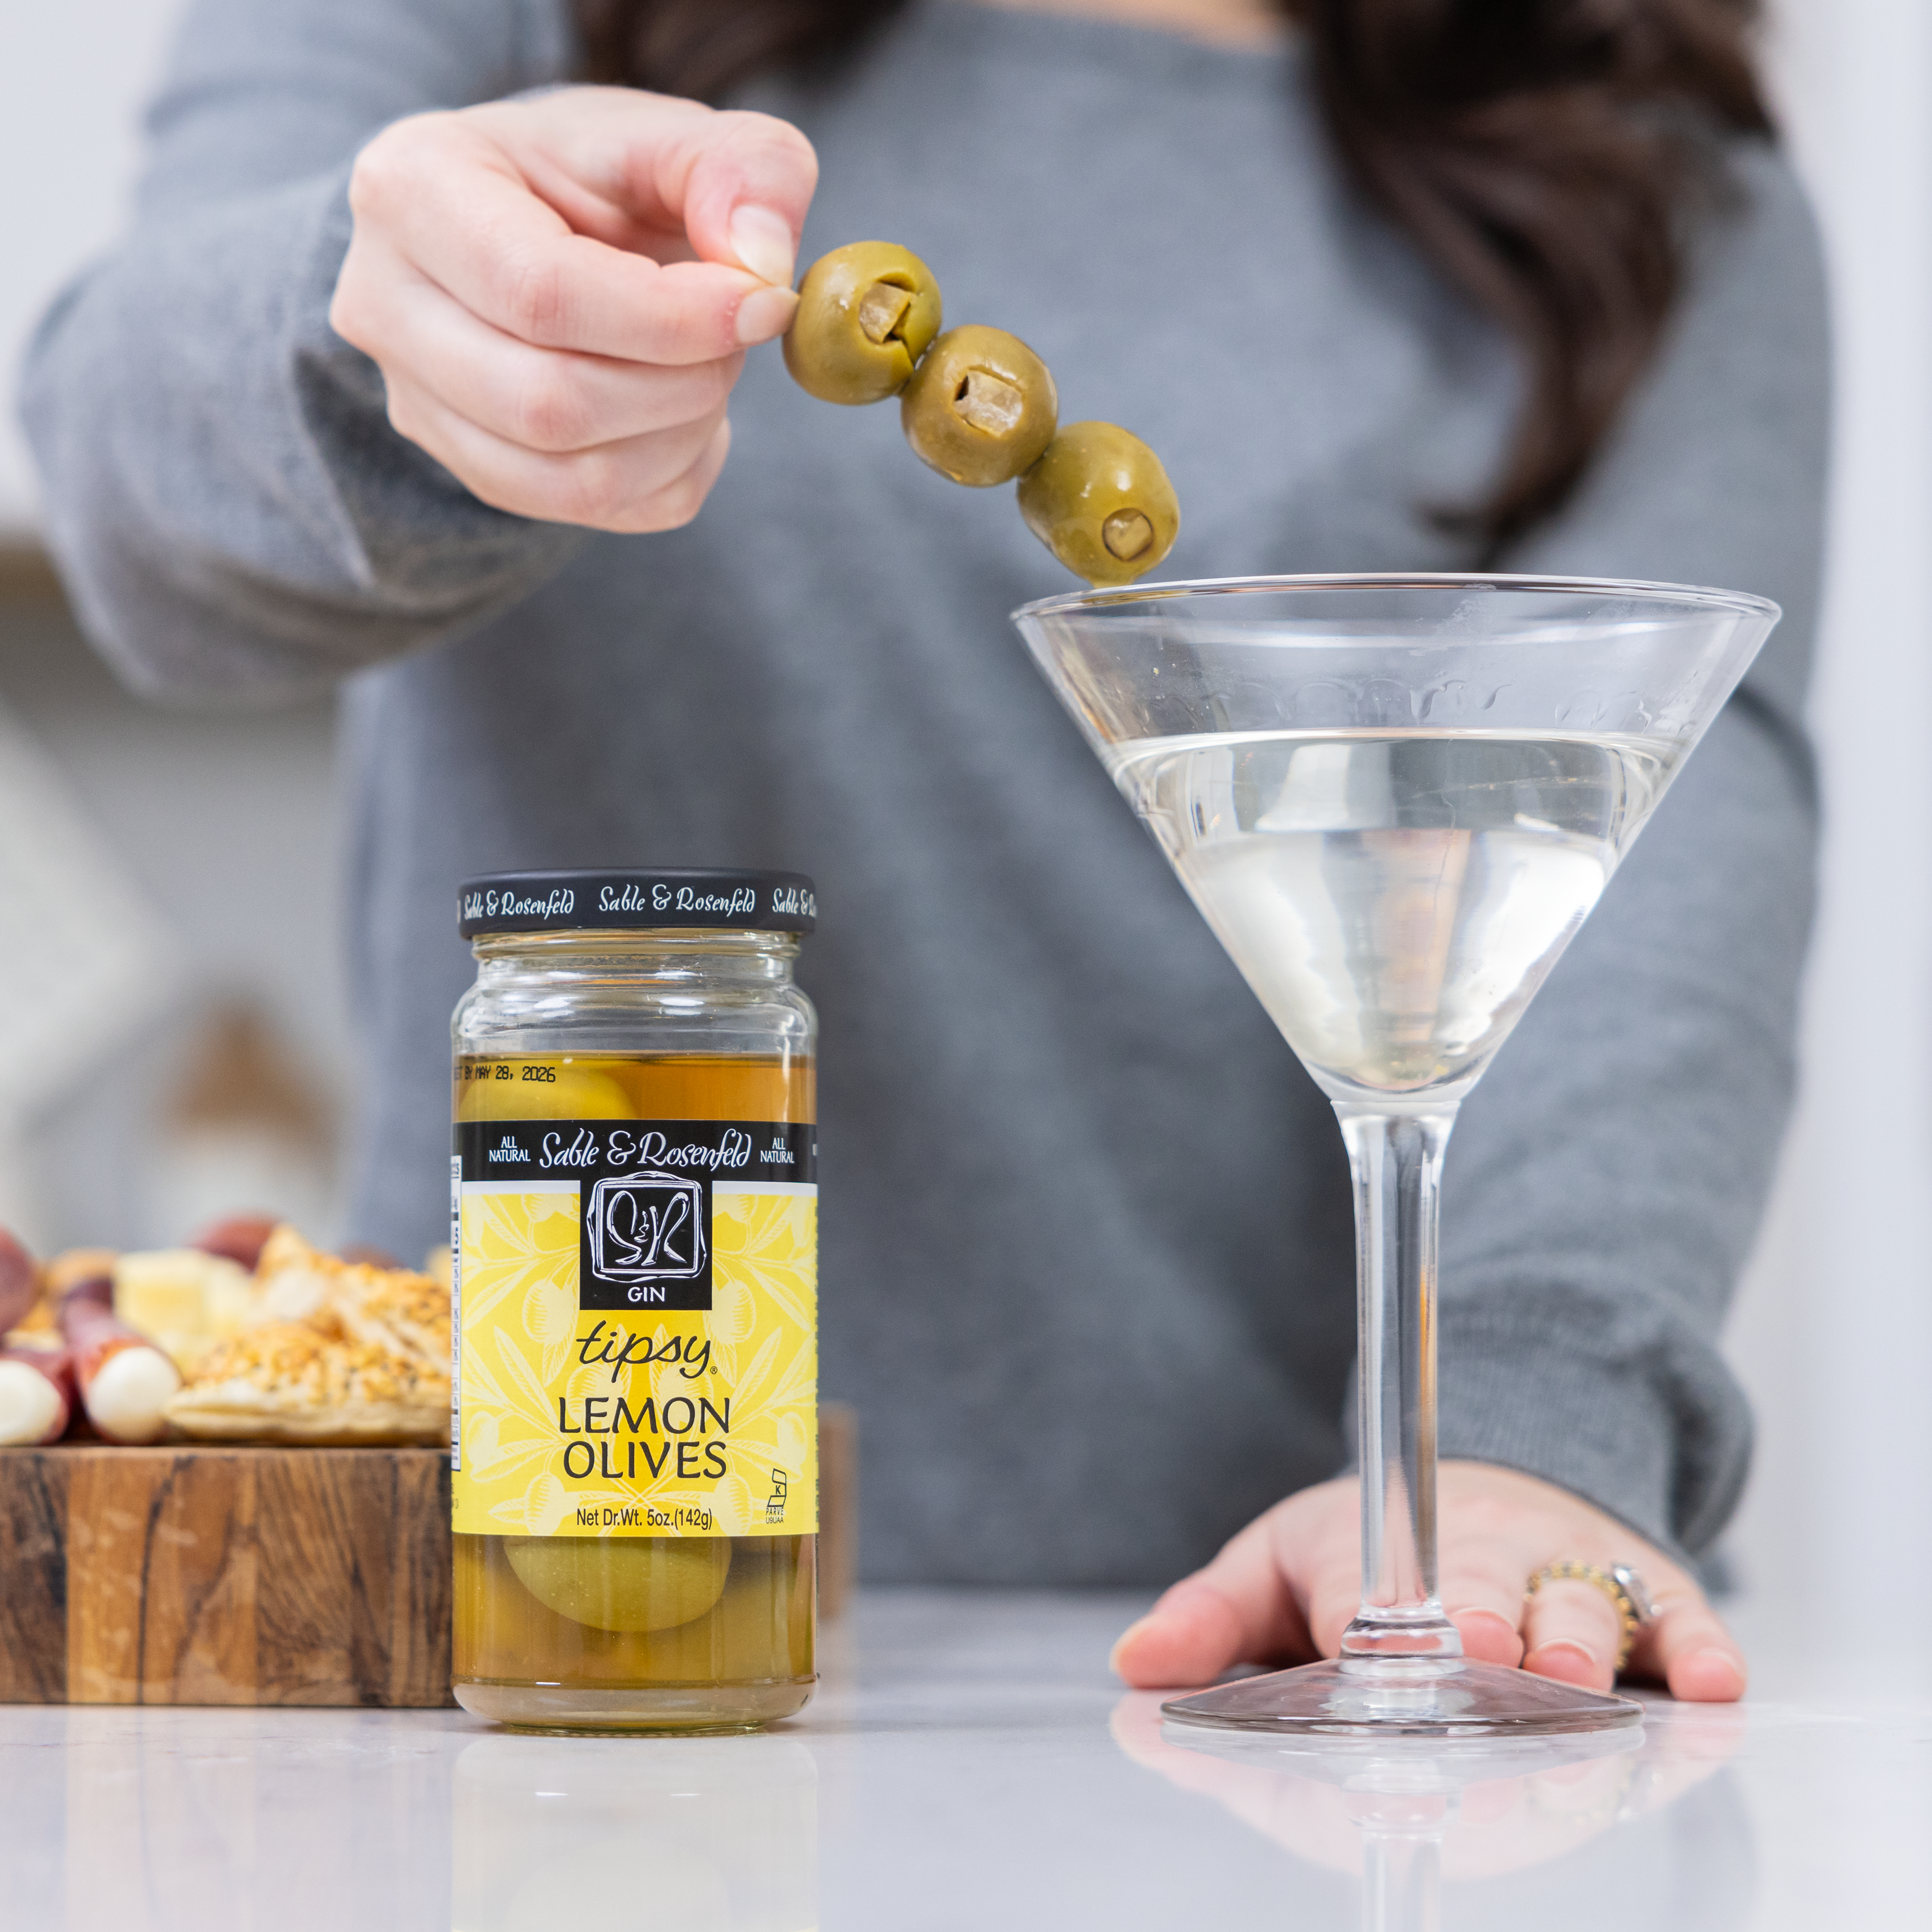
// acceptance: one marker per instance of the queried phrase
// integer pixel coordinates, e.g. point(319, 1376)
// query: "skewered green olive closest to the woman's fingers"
point(867, 316)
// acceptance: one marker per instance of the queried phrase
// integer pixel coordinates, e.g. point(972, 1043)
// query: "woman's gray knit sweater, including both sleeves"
point(1087, 1243)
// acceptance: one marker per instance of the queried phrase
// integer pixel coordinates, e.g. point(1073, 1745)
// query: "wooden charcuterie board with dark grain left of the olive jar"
point(225, 1576)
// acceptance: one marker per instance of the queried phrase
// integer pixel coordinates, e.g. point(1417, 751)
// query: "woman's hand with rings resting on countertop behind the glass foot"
point(1288, 1585)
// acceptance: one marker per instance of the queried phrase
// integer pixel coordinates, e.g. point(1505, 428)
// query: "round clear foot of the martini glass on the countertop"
point(1456, 1699)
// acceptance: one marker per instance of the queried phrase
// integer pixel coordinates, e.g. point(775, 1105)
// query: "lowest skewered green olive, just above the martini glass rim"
point(1100, 501)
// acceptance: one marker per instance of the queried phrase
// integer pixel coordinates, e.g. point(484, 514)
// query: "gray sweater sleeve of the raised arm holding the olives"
point(229, 505)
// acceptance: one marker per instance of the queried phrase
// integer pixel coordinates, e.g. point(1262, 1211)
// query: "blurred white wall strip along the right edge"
point(1834, 1328)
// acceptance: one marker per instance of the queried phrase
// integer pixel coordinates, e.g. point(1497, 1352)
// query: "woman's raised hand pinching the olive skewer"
point(559, 293)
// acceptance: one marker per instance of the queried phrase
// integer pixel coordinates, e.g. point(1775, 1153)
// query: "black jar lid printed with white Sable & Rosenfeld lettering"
point(648, 899)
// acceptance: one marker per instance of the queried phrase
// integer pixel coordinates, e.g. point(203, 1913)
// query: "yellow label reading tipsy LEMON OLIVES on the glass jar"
point(596, 1421)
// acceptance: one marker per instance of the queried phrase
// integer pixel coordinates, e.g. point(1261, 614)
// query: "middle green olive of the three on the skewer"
point(980, 409)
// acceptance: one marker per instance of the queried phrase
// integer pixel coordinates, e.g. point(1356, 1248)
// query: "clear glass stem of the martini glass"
point(1396, 1160)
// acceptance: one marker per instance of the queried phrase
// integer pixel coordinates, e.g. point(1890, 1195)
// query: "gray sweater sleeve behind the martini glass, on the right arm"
point(1605, 1183)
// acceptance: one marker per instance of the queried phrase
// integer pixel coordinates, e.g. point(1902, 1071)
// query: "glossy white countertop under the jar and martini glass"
point(967, 1765)
